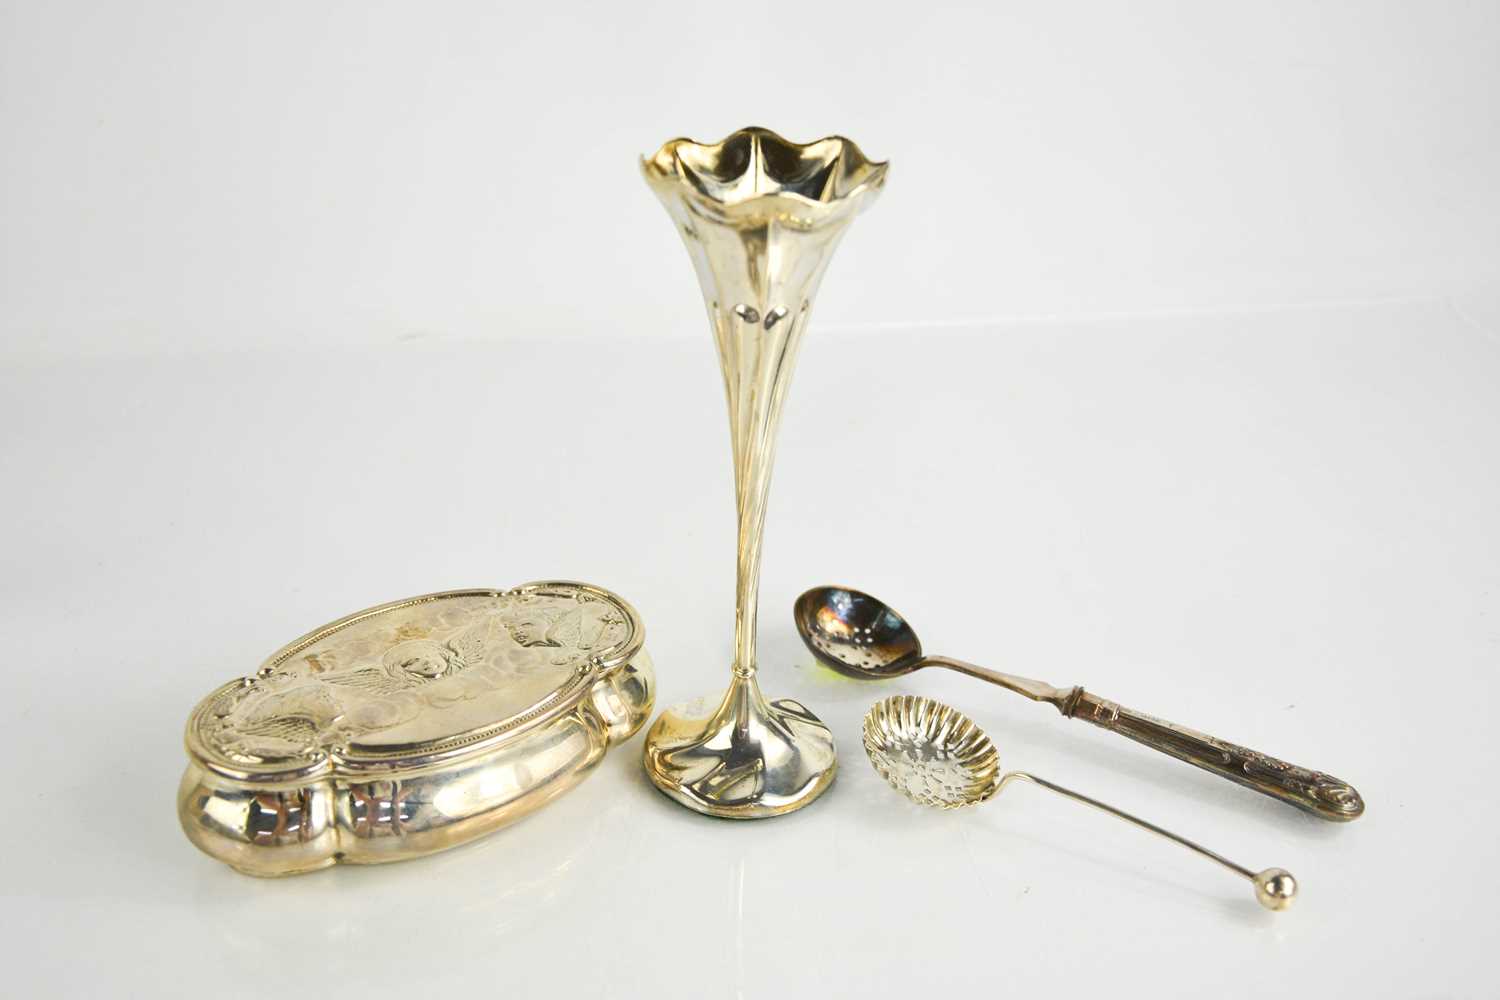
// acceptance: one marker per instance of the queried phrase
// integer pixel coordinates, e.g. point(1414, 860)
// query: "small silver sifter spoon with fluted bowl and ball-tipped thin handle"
point(937, 756)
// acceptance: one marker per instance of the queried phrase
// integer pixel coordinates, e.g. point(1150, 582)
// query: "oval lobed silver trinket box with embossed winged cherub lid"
point(413, 726)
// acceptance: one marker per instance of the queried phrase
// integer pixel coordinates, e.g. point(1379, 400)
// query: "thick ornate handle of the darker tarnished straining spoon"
point(1310, 791)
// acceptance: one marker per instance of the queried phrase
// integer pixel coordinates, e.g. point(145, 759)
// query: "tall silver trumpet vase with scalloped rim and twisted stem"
point(760, 218)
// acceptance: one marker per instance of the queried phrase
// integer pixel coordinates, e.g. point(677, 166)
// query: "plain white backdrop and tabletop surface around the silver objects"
point(1166, 365)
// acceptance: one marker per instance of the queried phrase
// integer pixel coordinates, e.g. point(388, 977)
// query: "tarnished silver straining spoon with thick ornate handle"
point(862, 638)
